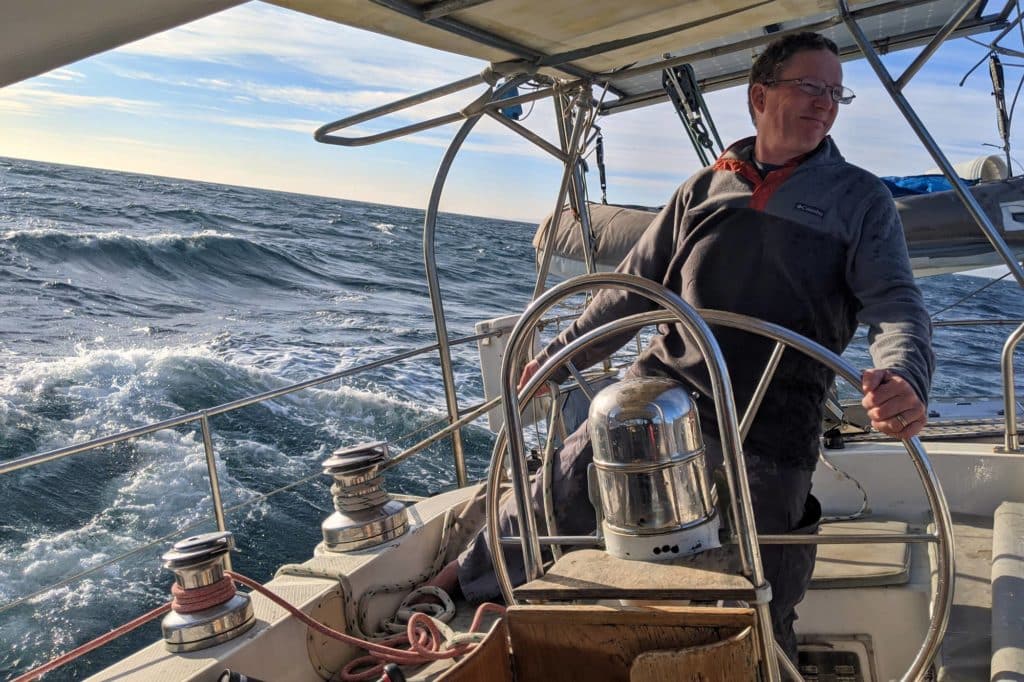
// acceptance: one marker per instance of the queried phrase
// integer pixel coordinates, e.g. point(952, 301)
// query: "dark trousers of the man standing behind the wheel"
point(782, 500)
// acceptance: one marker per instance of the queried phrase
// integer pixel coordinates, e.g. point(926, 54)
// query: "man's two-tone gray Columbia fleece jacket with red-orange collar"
point(816, 246)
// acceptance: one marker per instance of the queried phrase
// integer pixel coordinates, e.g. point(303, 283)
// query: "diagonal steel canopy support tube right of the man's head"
point(926, 139)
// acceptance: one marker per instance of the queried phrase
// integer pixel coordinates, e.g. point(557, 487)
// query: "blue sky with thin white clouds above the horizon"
point(235, 99)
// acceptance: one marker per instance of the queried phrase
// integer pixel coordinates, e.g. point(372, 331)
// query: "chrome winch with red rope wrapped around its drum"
point(207, 611)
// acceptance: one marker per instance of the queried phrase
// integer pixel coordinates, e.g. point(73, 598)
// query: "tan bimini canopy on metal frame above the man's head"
point(626, 45)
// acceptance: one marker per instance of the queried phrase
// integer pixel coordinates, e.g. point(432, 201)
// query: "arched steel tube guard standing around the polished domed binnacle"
point(724, 405)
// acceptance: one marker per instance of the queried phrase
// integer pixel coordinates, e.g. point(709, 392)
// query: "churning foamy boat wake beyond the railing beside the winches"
point(76, 515)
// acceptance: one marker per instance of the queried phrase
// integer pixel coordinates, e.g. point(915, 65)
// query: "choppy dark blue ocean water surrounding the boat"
point(127, 300)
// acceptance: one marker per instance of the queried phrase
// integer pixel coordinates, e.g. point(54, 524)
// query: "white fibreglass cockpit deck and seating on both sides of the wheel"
point(889, 622)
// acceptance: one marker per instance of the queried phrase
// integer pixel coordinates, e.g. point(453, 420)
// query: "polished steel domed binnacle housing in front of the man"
point(657, 499)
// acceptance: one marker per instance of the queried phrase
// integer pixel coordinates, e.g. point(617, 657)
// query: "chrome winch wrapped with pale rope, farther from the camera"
point(366, 515)
